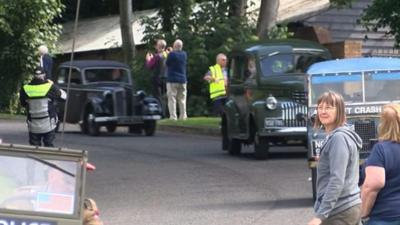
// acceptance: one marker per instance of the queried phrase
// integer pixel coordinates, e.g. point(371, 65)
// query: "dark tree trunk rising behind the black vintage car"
point(128, 43)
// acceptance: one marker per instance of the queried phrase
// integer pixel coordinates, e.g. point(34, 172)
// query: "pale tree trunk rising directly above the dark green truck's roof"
point(267, 17)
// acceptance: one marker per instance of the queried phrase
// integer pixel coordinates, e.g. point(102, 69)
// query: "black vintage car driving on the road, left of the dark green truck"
point(102, 93)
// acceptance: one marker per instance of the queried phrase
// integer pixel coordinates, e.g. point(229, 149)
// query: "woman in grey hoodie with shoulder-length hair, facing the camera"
point(338, 195)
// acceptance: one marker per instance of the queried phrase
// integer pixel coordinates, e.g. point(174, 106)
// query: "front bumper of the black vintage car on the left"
point(125, 120)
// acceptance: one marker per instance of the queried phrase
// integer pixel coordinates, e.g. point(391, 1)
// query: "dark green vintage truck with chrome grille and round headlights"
point(267, 98)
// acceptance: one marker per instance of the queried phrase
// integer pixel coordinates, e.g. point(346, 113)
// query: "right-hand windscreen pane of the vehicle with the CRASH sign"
point(382, 86)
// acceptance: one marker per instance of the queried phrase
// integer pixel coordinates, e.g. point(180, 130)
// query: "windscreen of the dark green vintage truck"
point(277, 63)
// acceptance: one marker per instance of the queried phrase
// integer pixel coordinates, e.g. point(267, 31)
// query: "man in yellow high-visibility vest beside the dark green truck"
point(218, 80)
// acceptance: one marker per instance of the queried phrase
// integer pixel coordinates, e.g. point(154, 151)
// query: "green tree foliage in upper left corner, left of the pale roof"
point(24, 25)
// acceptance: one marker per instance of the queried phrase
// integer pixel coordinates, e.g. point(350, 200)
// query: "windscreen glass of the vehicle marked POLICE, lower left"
point(35, 185)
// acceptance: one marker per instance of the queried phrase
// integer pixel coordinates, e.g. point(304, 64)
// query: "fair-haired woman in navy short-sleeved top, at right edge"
point(381, 189)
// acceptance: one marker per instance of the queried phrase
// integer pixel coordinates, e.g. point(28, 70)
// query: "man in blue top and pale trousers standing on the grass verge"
point(176, 81)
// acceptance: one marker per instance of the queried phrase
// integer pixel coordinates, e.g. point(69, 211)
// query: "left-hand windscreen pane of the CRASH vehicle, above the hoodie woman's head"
point(348, 85)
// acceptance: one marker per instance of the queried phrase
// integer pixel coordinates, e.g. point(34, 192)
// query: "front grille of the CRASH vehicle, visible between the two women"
point(366, 129)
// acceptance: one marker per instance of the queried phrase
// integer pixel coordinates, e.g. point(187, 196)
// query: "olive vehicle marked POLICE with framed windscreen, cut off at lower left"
point(41, 186)
